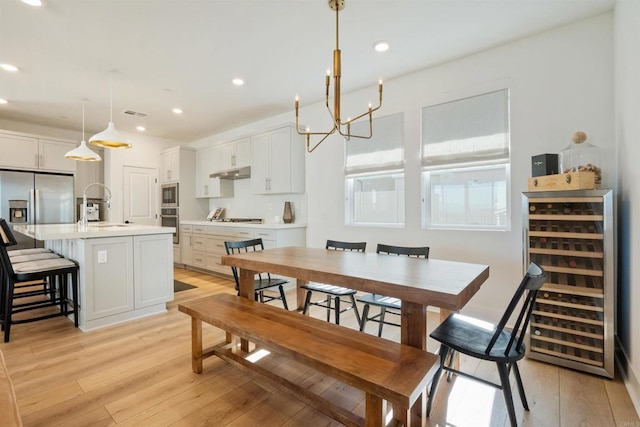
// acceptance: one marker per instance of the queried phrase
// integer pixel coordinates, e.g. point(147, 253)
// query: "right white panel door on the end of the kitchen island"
point(153, 285)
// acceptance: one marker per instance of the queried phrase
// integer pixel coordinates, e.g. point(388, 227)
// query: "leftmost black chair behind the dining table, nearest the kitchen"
point(264, 281)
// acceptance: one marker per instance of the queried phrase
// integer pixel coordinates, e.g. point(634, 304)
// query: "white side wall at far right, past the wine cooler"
point(627, 127)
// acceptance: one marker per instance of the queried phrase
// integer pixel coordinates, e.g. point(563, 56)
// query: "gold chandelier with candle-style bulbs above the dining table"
point(338, 124)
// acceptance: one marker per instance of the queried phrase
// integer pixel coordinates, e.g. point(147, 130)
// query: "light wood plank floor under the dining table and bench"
point(139, 374)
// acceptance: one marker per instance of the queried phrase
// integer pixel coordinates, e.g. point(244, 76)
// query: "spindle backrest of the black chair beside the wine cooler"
point(531, 283)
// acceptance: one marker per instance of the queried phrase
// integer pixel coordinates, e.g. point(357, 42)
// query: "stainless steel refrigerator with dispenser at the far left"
point(35, 198)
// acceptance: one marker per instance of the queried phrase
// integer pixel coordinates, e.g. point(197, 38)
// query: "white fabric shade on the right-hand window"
point(470, 131)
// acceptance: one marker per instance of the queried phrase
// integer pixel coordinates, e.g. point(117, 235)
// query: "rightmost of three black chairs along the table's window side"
point(387, 305)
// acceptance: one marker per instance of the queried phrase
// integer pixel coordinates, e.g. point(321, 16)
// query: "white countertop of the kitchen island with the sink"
point(91, 231)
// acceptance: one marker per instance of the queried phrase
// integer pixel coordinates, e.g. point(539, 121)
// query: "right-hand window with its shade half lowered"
point(465, 163)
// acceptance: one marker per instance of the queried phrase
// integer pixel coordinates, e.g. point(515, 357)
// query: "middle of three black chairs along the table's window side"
point(335, 294)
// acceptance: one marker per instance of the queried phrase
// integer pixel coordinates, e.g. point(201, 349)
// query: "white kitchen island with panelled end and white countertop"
point(126, 270)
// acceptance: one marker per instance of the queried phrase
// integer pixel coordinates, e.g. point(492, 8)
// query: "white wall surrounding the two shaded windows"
point(561, 81)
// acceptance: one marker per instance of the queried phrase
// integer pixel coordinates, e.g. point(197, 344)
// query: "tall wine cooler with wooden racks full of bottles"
point(570, 235)
